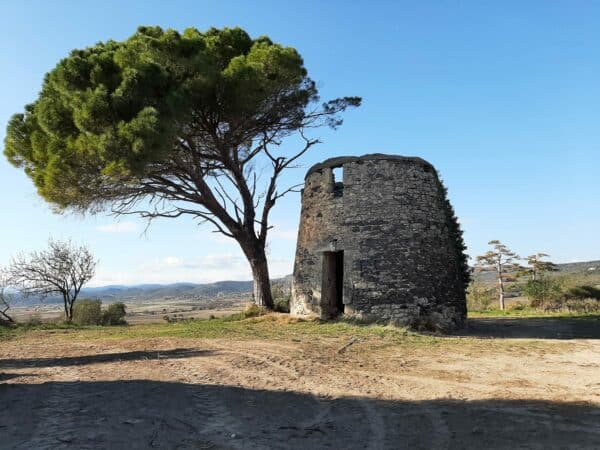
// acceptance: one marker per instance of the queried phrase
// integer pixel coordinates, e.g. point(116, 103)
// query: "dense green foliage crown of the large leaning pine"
point(109, 115)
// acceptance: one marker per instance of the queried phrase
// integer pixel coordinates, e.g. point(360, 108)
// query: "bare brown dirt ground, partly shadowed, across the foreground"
point(527, 391)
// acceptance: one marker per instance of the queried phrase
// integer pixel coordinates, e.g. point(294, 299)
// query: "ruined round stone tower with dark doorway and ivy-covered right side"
point(381, 242)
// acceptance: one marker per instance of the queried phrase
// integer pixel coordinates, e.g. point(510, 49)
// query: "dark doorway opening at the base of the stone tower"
point(332, 301)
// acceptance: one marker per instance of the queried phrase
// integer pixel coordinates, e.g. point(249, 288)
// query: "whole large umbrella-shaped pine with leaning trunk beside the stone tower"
point(164, 119)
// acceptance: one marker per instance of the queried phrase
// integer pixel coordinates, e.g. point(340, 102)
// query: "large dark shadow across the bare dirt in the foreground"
point(146, 414)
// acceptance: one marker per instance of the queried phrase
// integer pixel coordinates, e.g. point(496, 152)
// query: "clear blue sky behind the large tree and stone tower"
point(502, 97)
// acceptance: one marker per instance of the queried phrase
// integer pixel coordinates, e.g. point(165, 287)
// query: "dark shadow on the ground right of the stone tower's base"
point(533, 328)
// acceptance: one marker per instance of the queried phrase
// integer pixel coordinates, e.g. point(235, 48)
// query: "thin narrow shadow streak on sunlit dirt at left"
point(20, 363)
